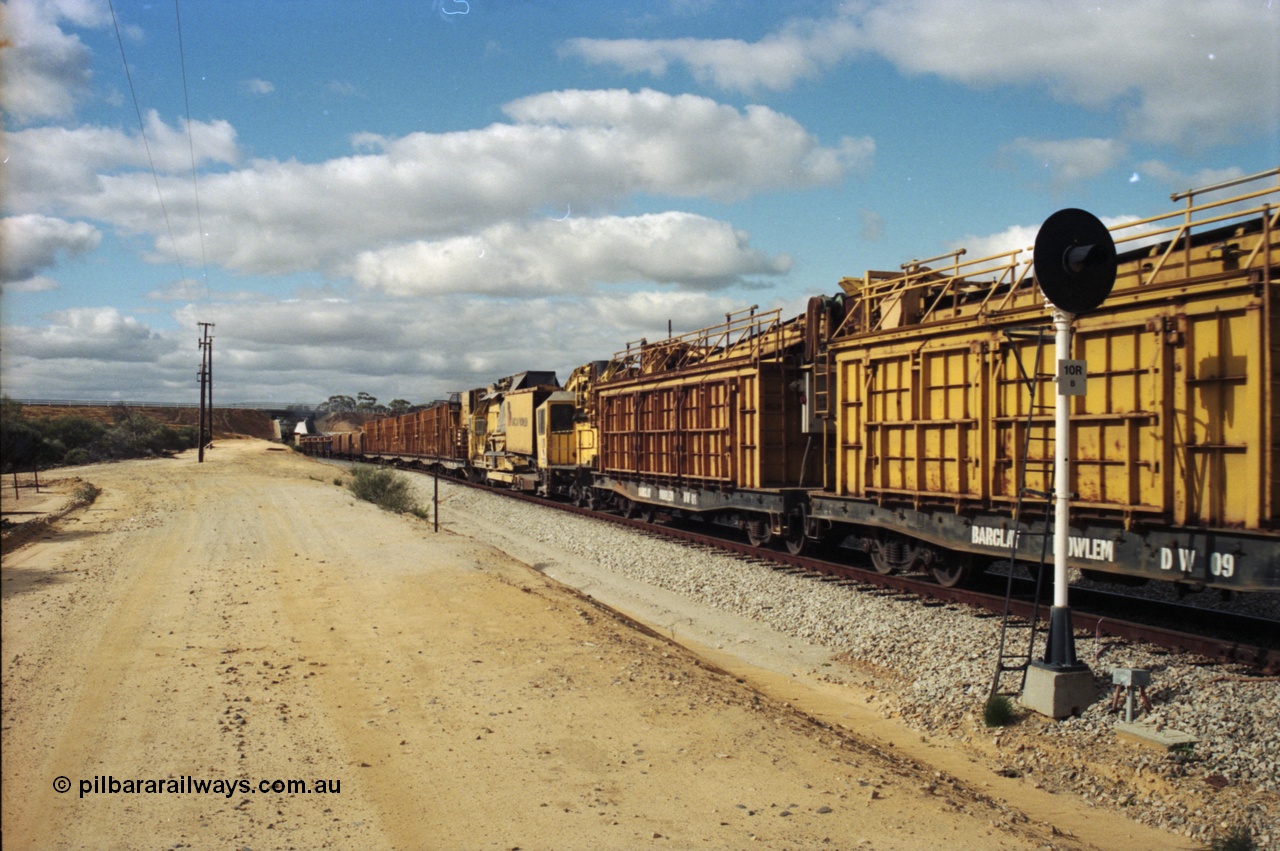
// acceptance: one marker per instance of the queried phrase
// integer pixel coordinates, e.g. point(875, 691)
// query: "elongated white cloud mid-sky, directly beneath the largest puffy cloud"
point(572, 255)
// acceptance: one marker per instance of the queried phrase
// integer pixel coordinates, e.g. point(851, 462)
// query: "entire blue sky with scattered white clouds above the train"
point(414, 198)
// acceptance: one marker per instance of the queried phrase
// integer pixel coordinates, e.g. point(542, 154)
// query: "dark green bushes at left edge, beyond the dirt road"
point(74, 440)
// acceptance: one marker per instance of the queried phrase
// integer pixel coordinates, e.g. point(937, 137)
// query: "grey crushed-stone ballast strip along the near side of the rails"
point(936, 666)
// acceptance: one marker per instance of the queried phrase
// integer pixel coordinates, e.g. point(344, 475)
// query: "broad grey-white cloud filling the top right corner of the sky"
point(1186, 71)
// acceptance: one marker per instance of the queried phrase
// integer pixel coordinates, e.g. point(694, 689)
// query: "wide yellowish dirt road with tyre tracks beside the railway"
point(246, 621)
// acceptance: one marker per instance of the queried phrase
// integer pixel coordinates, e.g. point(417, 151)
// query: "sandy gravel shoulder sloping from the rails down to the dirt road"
point(912, 679)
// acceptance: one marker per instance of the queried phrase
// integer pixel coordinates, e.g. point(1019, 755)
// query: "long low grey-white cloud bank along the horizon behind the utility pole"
point(308, 350)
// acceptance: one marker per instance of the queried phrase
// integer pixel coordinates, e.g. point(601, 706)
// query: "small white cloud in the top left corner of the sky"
point(47, 71)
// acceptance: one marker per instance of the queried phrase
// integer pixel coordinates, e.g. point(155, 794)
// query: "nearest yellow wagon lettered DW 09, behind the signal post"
point(944, 399)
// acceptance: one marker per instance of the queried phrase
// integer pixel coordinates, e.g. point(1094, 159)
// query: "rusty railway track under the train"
point(1223, 637)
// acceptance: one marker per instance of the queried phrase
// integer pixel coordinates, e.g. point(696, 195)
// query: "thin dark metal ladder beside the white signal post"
point(1045, 465)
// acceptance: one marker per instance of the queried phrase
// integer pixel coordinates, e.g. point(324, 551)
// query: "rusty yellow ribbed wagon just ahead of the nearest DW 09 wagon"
point(708, 422)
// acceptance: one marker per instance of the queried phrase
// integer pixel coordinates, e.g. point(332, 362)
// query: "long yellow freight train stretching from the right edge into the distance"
point(911, 417)
